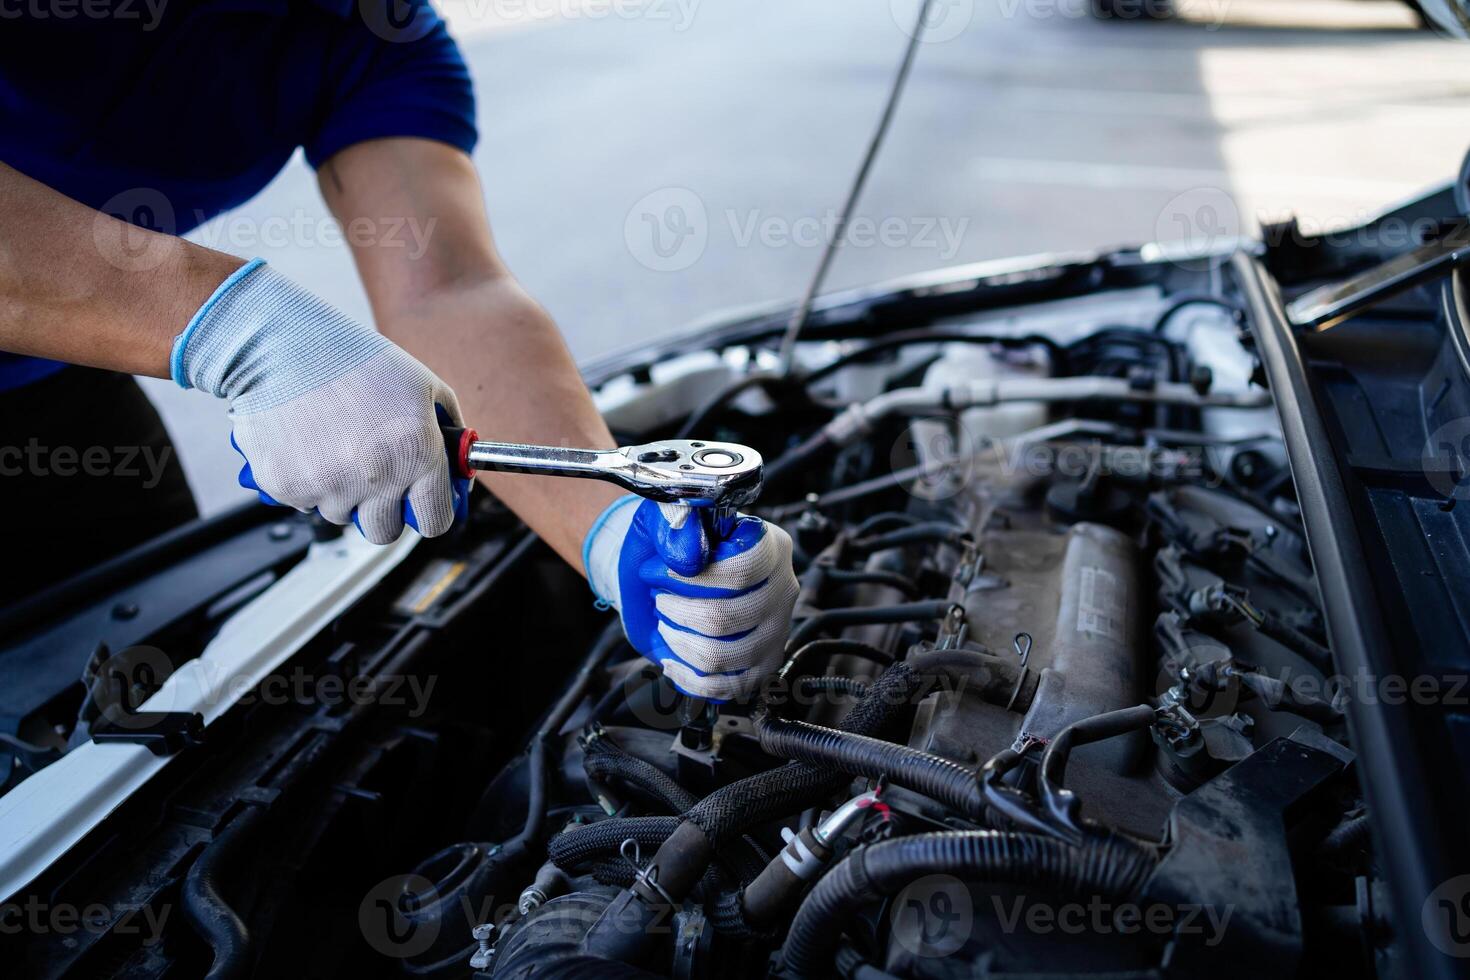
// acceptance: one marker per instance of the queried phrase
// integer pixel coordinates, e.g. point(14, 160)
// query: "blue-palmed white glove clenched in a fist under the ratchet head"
point(714, 616)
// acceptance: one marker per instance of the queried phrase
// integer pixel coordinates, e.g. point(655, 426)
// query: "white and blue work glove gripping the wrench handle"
point(330, 415)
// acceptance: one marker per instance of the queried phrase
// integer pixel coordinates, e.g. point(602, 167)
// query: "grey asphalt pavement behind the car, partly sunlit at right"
point(650, 164)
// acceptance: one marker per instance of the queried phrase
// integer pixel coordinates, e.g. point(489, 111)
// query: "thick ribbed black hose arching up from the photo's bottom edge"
point(1109, 868)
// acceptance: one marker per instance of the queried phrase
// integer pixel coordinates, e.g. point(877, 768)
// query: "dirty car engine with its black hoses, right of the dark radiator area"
point(1056, 697)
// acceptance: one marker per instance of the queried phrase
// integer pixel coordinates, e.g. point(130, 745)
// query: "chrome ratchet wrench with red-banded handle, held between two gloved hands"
point(718, 478)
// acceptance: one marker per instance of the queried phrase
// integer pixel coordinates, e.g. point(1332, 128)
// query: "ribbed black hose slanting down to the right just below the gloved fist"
point(934, 777)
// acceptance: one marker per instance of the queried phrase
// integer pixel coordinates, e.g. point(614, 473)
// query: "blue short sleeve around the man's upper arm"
point(396, 80)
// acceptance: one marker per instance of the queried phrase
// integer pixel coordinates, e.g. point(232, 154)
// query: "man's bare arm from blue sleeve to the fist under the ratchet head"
point(439, 289)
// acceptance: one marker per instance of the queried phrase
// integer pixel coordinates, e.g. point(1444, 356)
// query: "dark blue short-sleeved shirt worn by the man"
point(168, 114)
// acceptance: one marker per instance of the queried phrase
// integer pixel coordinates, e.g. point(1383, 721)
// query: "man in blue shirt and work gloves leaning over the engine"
point(177, 120)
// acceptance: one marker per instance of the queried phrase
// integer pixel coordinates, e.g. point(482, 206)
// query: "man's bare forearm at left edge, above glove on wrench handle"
point(87, 289)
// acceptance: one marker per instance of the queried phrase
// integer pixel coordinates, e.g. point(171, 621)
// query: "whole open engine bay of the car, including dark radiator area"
point(1059, 700)
